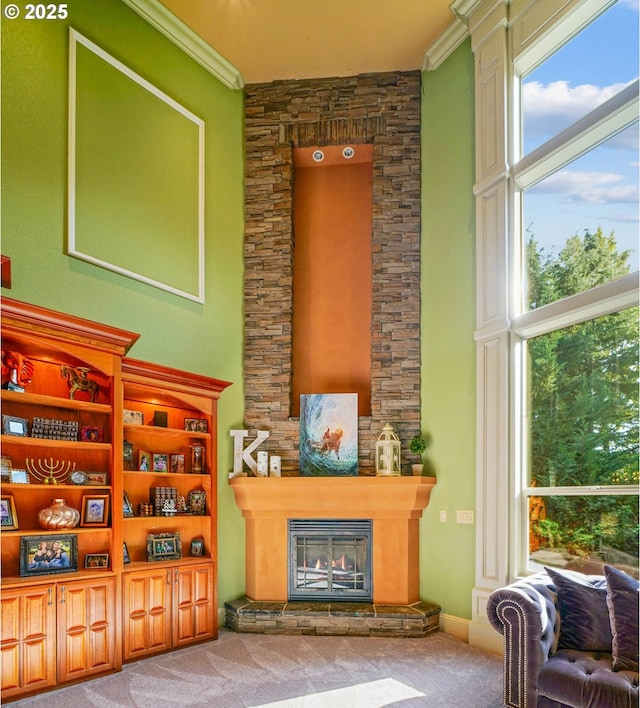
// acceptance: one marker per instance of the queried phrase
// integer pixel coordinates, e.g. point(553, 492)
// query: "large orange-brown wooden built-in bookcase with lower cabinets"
point(76, 624)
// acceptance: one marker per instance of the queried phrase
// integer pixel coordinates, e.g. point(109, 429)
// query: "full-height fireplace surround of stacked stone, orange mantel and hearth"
point(383, 110)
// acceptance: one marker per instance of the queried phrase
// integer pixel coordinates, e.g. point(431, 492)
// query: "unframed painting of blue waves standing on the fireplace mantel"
point(329, 434)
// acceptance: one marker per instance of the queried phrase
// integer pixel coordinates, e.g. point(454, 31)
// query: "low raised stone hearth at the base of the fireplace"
point(332, 618)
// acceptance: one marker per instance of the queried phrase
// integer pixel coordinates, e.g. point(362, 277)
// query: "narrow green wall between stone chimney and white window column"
point(447, 549)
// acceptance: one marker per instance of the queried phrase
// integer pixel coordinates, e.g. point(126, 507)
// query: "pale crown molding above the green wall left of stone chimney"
point(186, 39)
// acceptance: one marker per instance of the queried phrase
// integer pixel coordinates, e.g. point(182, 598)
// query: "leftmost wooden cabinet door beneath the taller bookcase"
point(28, 640)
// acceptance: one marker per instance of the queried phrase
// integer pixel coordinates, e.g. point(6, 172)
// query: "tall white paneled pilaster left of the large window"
point(488, 21)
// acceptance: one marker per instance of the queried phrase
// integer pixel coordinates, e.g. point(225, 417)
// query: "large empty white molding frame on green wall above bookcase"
point(127, 141)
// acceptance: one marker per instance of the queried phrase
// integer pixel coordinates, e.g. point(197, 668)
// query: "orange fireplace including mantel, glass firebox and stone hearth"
point(391, 507)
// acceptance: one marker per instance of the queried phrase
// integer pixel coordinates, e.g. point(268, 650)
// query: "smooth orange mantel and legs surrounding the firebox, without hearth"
point(394, 504)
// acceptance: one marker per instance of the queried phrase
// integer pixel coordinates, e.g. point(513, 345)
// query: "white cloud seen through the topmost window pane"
point(547, 109)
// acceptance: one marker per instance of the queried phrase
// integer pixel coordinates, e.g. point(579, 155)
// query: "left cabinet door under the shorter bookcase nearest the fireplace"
point(147, 612)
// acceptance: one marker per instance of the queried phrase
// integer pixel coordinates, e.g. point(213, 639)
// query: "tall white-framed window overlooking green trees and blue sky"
point(575, 324)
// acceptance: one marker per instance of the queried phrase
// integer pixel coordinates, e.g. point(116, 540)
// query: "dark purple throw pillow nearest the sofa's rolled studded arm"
point(584, 616)
